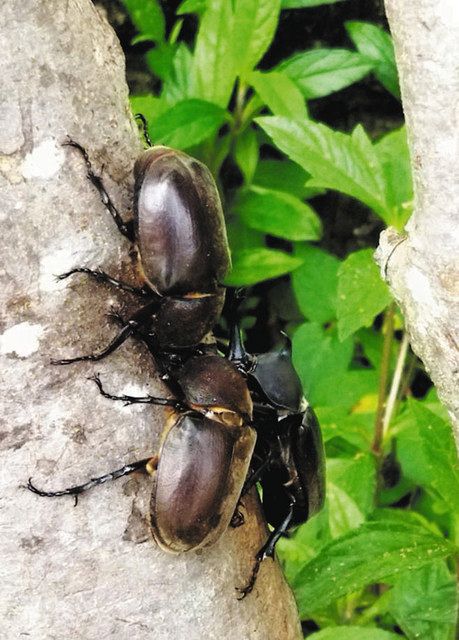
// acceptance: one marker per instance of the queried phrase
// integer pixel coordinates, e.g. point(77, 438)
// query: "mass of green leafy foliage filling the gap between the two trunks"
point(359, 571)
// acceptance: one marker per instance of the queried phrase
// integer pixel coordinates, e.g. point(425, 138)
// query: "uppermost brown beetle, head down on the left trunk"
point(179, 231)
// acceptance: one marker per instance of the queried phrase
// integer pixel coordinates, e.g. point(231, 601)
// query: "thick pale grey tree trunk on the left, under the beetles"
point(92, 571)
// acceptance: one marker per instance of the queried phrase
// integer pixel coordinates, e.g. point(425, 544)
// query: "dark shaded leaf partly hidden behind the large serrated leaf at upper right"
point(283, 175)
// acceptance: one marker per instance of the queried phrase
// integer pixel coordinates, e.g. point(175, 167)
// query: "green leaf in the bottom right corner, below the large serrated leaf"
point(424, 603)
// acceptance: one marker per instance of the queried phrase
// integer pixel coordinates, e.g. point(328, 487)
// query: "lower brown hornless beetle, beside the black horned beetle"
point(203, 457)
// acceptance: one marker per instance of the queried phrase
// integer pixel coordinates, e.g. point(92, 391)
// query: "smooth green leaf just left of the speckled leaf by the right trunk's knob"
point(315, 283)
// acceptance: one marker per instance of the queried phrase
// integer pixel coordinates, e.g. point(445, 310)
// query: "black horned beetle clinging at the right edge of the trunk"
point(289, 450)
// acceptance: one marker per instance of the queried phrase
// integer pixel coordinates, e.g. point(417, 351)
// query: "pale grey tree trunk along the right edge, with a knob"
point(423, 270)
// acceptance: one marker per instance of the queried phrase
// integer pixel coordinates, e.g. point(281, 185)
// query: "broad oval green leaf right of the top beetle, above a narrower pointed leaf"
point(277, 213)
